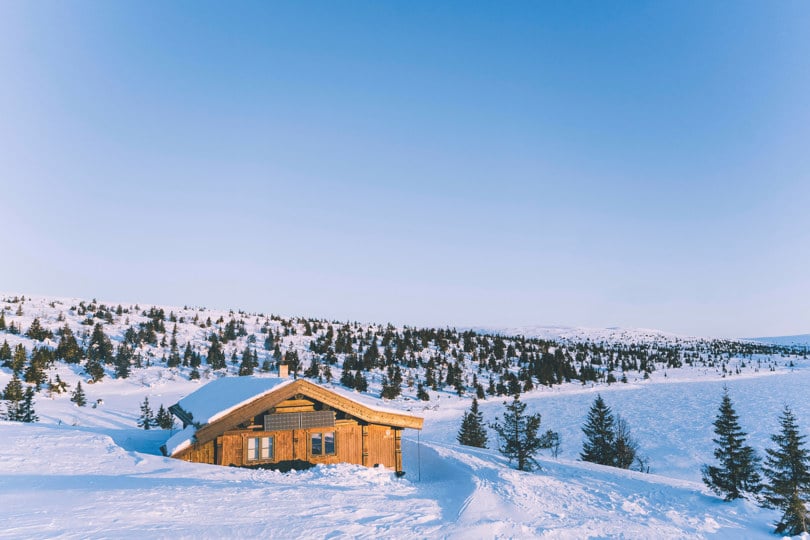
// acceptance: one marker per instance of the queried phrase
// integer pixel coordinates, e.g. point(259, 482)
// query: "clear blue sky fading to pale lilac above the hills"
point(638, 164)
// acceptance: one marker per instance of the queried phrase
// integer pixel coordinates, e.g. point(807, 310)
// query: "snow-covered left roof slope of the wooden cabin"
point(221, 396)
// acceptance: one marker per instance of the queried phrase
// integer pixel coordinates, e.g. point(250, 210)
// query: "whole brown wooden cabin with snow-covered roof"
point(281, 423)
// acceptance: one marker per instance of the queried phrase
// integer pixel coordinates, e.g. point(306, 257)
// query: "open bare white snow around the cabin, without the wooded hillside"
point(89, 472)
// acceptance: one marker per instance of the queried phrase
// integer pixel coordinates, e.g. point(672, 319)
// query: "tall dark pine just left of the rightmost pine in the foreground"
point(737, 473)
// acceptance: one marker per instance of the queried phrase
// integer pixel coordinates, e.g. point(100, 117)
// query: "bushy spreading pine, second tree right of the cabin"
point(518, 432)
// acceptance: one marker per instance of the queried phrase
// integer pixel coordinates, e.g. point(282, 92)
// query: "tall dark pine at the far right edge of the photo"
point(788, 470)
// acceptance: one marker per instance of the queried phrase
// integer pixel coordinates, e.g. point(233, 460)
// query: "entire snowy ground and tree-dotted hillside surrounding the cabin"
point(91, 472)
